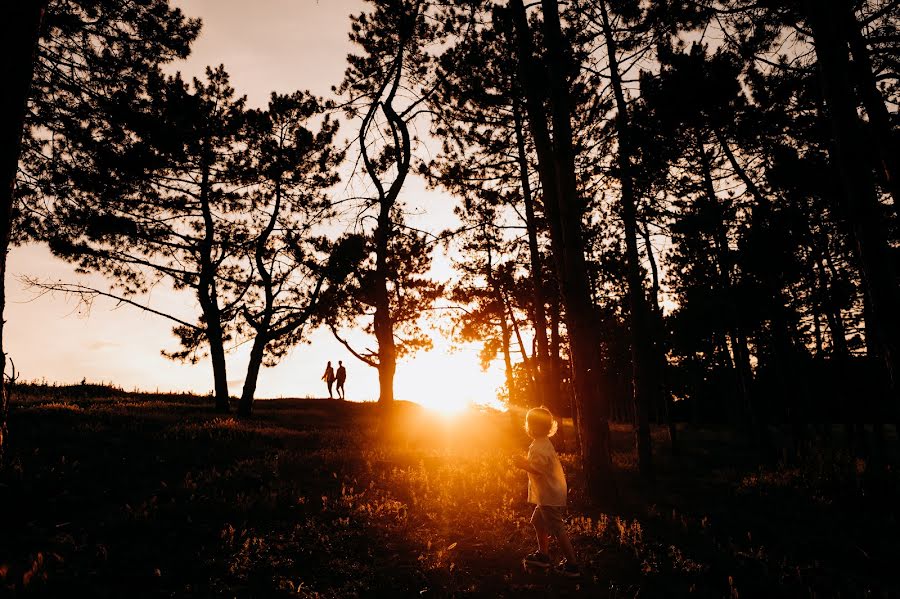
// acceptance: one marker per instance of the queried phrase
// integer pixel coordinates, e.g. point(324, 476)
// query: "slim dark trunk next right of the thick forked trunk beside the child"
point(642, 362)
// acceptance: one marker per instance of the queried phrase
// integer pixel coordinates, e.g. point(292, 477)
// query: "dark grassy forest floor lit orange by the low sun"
point(143, 495)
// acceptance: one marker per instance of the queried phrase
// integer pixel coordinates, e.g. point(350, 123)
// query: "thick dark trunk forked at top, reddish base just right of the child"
point(556, 167)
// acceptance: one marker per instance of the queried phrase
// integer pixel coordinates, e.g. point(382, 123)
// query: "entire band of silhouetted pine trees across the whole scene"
point(668, 211)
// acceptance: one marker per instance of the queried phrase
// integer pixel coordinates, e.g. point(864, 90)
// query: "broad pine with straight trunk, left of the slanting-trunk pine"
point(153, 195)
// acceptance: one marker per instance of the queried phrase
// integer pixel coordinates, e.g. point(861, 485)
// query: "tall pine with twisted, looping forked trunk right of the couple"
point(385, 90)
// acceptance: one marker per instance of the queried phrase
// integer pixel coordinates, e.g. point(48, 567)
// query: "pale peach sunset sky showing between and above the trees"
point(265, 45)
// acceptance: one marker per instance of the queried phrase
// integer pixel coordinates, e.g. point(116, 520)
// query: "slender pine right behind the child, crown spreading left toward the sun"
point(486, 159)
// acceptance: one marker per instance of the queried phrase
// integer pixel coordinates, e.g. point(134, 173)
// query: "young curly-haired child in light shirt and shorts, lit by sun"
point(547, 490)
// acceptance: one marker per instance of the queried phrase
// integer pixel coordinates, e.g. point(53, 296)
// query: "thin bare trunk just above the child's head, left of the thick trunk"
point(544, 393)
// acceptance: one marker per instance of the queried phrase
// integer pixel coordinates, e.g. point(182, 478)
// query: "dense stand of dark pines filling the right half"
point(714, 221)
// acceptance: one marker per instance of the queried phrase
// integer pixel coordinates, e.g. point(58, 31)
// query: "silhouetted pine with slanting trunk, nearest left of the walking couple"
point(290, 167)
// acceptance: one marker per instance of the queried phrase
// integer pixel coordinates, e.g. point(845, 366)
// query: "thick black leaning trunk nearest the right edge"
point(858, 203)
